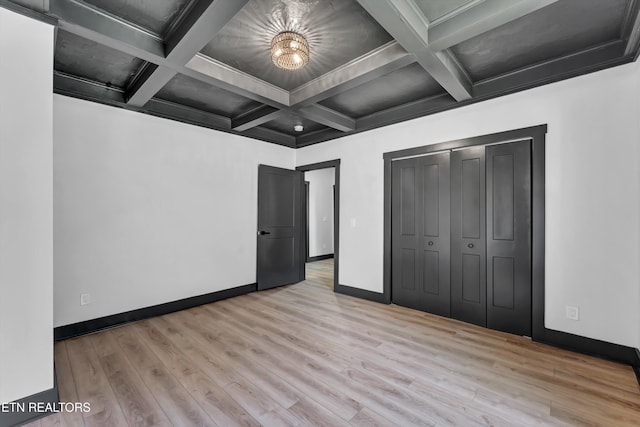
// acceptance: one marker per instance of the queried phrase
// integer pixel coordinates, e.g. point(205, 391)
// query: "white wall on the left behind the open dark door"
point(149, 210)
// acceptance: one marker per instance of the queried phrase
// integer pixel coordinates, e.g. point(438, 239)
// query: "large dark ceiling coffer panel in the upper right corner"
point(562, 28)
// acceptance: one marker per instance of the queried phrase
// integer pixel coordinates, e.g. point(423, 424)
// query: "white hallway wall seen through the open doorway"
point(320, 210)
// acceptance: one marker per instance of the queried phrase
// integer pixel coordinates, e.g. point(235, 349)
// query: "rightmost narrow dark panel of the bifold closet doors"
point(509, 237)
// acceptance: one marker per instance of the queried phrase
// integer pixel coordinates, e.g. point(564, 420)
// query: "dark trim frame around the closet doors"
point(536, 135)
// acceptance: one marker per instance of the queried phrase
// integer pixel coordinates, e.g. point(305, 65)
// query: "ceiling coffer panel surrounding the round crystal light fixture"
point(337, 32)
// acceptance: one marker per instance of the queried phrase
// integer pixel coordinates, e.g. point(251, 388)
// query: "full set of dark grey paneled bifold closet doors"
point(461, 234)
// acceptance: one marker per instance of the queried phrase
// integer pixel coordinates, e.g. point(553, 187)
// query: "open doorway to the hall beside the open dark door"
point(322, 208)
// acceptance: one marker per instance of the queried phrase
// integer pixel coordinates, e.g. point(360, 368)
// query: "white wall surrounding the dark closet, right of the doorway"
point(592, 193)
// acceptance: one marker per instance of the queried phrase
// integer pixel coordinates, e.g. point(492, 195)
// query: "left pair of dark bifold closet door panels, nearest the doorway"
point(420, 233)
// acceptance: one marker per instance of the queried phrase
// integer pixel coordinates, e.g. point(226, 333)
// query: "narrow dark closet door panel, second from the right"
point(468, 236)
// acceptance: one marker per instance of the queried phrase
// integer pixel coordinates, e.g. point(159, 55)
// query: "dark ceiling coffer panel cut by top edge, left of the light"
point(155, 16)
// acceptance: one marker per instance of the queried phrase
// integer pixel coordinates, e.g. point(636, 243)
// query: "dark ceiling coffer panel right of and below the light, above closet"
point(400, 87)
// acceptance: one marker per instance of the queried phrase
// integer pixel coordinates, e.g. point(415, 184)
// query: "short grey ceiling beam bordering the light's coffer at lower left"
point(218, 74)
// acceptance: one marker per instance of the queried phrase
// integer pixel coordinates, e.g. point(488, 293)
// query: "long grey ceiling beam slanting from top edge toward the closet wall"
point(407, 24)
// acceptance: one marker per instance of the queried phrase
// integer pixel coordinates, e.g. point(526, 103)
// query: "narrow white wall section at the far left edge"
point(26, 236)
